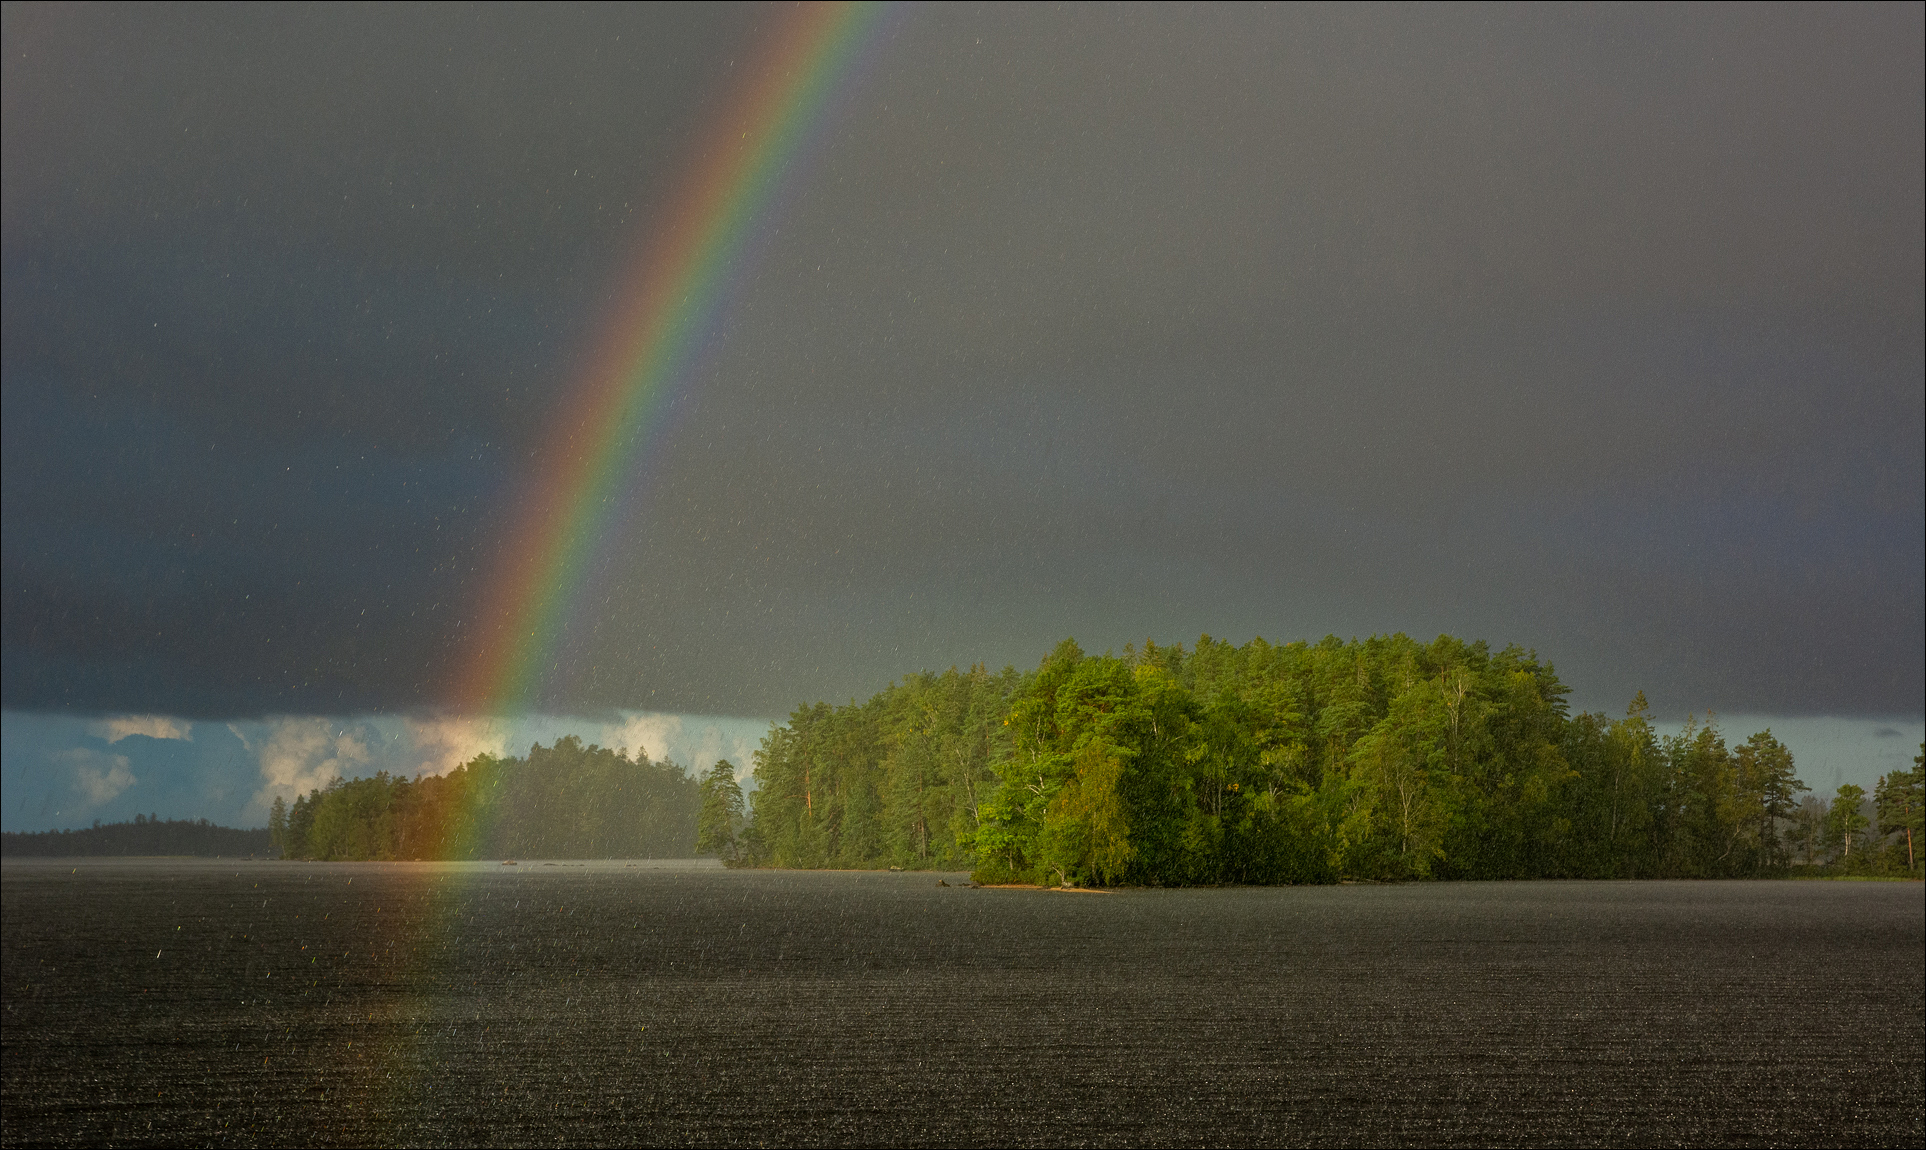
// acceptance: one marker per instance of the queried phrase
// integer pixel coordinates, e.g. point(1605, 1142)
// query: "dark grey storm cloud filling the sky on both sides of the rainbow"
point(1588, 330)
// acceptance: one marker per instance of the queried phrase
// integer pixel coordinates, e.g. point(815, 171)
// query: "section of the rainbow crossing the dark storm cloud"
point(667, 313)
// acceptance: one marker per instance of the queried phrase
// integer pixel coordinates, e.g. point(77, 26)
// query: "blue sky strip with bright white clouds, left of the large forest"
point(61, 771)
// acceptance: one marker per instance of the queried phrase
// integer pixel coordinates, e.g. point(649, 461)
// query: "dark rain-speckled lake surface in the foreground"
point(415, 1003)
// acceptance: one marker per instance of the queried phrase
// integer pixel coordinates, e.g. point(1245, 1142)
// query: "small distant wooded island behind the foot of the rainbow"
point(563, 802)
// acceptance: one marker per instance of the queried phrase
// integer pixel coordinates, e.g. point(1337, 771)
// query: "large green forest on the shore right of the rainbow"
point(1291, 764)
